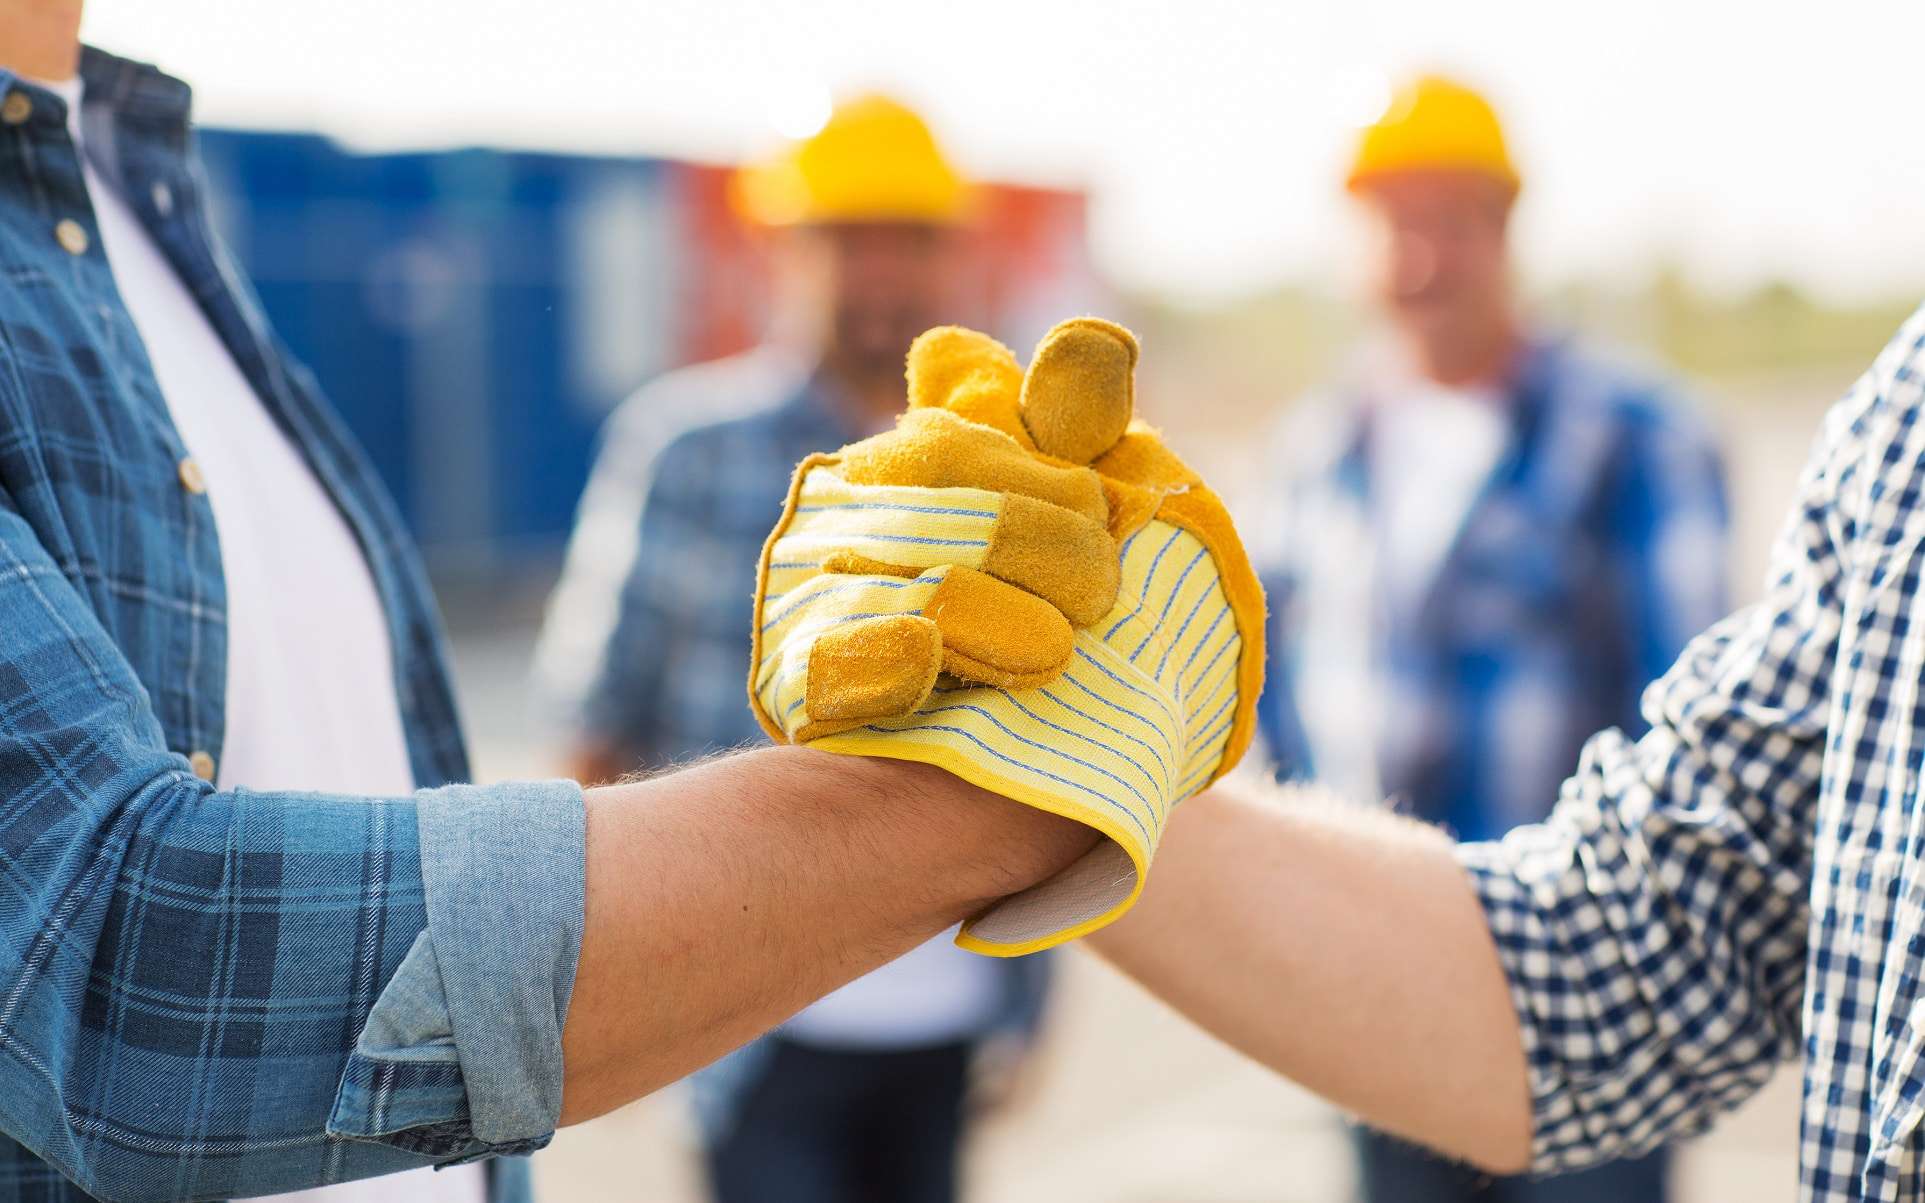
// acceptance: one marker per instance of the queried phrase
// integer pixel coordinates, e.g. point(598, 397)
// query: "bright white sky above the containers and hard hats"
point(1751, 141)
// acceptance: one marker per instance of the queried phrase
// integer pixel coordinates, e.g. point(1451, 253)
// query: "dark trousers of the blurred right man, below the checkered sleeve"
point(1397, 1171)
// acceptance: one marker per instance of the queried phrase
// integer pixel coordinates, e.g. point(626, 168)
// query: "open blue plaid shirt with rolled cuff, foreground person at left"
point(222, 992)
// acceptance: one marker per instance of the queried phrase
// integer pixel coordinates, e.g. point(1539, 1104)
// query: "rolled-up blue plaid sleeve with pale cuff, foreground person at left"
point(205, 990)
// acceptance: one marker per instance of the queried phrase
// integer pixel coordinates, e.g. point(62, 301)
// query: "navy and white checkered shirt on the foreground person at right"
point(1745, 884)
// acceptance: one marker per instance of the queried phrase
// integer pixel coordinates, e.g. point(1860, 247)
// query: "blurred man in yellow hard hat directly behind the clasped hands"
point(860, 1098)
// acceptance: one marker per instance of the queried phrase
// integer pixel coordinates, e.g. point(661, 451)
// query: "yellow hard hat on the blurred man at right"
point(1433, 124)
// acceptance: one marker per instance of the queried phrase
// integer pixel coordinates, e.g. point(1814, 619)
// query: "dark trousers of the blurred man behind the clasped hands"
point(833, 1127)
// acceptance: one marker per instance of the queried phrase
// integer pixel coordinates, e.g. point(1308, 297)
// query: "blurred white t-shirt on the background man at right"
point(1431, 451)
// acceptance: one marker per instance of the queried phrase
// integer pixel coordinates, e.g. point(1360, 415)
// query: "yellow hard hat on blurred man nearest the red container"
point(875, 161)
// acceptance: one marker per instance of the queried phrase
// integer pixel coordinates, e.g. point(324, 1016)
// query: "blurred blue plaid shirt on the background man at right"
point(1591, 555)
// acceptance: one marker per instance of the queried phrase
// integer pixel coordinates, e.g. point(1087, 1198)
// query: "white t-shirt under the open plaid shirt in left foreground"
point(311, 675)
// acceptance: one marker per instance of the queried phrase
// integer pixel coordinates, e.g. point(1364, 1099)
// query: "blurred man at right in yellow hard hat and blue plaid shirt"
point(1487, 546)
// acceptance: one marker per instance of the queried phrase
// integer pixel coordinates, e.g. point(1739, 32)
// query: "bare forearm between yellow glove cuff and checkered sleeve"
point(1345, 950)
